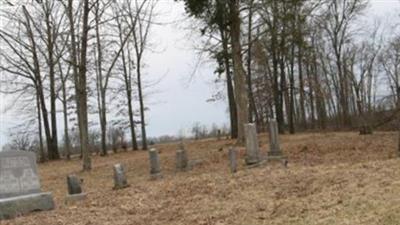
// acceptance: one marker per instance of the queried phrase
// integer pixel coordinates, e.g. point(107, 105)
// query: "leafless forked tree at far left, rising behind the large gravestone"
point(32, 45)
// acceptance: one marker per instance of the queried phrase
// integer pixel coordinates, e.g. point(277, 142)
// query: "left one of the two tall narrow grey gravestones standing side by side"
point(252, 149)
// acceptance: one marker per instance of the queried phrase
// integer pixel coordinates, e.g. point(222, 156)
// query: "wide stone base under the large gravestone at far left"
point(16, 206)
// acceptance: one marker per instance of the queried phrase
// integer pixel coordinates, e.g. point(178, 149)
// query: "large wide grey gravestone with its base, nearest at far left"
point(20, 191)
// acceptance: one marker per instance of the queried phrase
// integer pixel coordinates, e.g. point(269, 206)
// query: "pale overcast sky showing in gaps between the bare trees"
point(180, 101)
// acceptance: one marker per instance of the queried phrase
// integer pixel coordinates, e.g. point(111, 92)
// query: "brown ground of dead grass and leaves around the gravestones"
point(332, 178)
